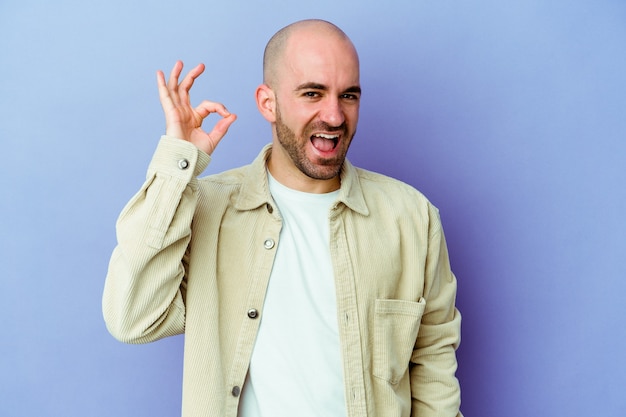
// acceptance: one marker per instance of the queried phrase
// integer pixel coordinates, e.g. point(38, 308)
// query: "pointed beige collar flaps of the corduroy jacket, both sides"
point(255, 189)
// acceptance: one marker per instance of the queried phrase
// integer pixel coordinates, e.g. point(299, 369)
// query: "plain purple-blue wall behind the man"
point(509, 115)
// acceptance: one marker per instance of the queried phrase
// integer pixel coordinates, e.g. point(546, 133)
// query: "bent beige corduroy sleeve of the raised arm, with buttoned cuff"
point(144, 292)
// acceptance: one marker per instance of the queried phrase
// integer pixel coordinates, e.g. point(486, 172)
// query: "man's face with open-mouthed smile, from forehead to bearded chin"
point(317, 105)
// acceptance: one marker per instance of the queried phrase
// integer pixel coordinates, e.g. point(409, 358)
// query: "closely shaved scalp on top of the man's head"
point(273, 58)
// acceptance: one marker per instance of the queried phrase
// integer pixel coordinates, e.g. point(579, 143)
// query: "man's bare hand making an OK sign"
point(181, 119)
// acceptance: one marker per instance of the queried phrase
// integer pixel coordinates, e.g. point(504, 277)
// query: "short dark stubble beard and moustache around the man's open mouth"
point(323, 169)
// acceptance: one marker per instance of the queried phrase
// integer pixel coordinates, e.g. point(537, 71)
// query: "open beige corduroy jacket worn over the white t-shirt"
point(194, 256)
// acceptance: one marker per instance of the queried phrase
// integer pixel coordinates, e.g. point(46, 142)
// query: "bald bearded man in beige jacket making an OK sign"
point(300, 281)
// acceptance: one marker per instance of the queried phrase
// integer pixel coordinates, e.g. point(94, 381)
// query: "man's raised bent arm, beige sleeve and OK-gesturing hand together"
point(145, 289)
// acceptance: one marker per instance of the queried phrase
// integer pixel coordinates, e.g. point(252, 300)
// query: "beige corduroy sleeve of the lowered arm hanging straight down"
point(434, 387)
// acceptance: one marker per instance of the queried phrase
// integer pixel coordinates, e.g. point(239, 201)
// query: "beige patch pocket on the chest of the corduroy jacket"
point(396, 324)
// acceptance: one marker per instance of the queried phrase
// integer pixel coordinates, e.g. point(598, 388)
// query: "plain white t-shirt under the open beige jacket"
point(296, 367)
